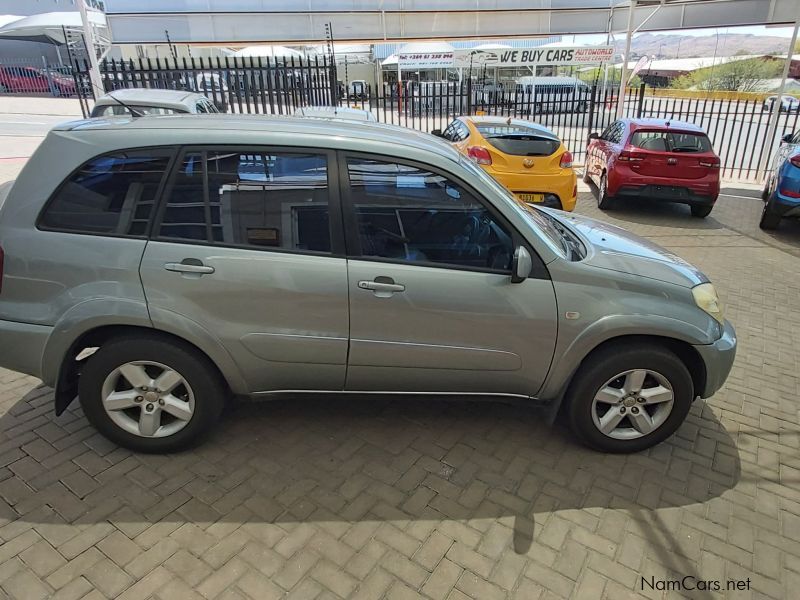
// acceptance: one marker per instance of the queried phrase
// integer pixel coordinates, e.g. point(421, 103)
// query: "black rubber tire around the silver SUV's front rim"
point(607, 362)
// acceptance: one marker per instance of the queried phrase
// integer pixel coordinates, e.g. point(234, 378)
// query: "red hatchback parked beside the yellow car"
point(654, 159)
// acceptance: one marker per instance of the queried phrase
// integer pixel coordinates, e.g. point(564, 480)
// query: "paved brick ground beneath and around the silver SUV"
point(334, 498)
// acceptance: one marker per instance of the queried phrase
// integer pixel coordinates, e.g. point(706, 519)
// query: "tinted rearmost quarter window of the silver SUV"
point(109, 194)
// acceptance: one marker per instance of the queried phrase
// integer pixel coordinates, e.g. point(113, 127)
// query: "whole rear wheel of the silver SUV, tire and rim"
point(149, 394)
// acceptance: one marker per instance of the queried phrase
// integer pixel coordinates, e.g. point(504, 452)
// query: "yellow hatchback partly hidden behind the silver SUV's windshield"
point(527, 158)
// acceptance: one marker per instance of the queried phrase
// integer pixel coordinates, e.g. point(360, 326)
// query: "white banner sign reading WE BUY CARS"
point(527, 57)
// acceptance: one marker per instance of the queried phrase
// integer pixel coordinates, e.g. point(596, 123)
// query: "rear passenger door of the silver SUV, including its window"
point(249, 248)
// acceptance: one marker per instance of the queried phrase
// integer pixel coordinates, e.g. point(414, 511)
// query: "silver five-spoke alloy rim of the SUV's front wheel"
point(632, 404)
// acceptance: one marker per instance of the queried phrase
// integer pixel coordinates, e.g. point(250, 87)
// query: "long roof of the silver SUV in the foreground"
point(197, 129)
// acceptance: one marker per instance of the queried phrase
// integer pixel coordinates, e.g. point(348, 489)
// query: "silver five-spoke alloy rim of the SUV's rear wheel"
point(148, 399)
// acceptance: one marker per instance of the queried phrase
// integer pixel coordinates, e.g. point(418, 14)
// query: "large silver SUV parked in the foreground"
point(156, 266)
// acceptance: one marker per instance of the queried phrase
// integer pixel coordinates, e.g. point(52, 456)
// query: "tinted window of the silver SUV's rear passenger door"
point(251, 198)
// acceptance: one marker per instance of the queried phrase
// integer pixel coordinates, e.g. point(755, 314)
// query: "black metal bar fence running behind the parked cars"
point(738, 128)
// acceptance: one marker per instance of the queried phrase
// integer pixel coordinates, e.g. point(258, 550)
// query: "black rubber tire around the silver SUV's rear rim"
point(210, 390)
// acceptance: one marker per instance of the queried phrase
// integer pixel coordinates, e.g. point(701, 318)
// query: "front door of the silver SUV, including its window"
point(432, 306)
